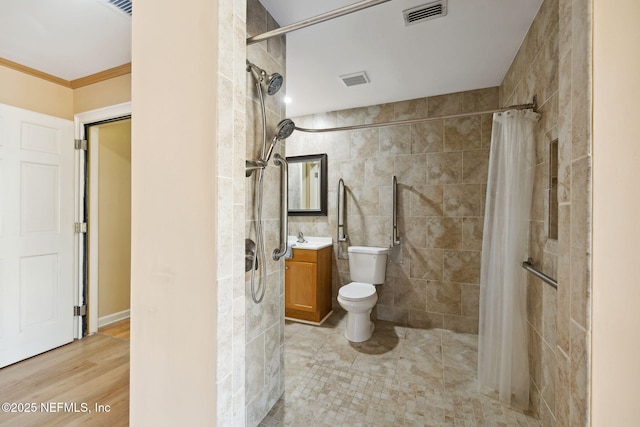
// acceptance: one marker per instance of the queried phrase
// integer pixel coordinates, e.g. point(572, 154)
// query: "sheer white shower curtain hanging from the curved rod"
point(503, 365)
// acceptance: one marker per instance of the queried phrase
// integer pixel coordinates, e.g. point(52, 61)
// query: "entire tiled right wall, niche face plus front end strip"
point(554, 62)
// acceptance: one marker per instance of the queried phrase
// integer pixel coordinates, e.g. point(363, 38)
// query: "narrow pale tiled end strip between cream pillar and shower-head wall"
point(231, 213)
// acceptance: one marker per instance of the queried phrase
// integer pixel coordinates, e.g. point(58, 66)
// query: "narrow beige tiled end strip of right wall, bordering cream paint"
point(575, 211)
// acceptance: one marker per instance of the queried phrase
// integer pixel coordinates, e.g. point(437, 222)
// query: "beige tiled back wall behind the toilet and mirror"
point(441, 168)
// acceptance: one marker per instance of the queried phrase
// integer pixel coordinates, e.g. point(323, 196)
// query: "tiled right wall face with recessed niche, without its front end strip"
point(534, 71)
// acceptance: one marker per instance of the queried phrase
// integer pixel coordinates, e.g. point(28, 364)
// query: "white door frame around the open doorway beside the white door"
point(81, 120)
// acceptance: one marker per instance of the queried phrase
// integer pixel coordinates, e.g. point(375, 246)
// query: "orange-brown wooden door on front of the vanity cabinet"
point(300, 285)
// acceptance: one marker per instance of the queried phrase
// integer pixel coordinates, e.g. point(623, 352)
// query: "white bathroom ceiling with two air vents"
point(471, 47)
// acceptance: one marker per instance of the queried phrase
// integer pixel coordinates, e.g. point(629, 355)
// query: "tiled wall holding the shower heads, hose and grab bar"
point(264, 329)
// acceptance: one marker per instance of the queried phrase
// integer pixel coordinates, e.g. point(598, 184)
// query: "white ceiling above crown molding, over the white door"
point(68, 39)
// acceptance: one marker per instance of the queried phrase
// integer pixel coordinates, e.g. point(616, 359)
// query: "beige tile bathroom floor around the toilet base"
point(400, 377)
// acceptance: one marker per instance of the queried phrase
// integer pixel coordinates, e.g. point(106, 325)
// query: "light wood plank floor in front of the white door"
point(84, 383)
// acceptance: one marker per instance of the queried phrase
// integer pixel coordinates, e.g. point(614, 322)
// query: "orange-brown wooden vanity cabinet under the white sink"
point(307, 284)
